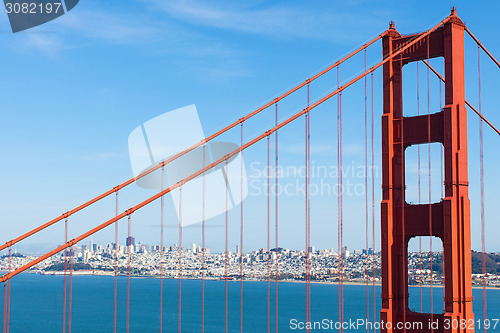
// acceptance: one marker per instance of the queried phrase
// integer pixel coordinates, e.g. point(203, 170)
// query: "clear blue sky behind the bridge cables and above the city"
point(73, 89)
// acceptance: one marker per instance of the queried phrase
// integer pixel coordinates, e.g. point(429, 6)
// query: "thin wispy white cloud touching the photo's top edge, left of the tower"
point(290, 21)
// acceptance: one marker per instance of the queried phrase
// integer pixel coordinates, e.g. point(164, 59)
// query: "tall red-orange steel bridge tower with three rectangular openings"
point(448, 219)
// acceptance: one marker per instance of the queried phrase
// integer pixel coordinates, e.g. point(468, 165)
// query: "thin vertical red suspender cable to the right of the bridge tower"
point(481, 171)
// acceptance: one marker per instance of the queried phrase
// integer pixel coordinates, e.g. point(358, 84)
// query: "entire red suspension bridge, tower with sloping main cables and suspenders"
point(448, 219)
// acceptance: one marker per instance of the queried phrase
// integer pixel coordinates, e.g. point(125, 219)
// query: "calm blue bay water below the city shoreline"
point(36, 304)
